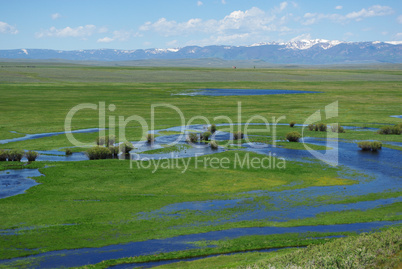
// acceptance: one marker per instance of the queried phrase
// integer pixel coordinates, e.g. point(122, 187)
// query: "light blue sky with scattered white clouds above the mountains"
point(130, 25)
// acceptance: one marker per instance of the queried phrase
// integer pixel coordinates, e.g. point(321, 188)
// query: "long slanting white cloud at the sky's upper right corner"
point(373, 11)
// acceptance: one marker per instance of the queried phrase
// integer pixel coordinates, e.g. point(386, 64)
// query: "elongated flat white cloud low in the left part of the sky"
point(80, 31)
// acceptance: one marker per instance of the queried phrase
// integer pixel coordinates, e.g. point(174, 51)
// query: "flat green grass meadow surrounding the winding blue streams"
point(105, 199)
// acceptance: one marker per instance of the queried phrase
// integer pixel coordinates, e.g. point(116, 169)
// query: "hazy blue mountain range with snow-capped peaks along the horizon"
point(317, 51)
